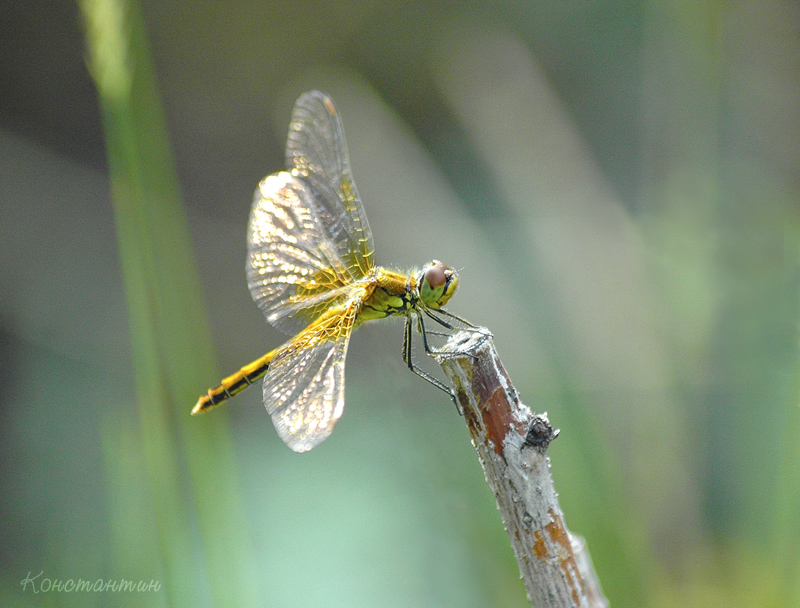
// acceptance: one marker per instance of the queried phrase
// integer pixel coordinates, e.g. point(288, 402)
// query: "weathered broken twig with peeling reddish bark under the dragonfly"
point(512, 443)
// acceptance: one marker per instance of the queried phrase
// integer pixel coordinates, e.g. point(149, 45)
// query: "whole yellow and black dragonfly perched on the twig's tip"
point(312, 273)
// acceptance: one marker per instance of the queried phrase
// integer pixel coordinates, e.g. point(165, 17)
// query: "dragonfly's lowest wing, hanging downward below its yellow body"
point(304, 387)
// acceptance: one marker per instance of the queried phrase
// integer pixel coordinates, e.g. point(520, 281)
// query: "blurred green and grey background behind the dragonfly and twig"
point(617, 183)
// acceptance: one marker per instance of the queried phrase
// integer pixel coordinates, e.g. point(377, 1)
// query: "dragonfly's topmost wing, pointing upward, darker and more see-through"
point(316, 151)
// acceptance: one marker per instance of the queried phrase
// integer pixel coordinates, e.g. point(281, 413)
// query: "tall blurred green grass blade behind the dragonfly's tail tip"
point(171, 342)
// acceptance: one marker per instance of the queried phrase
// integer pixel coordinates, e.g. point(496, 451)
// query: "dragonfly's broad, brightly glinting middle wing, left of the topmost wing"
point(294, 270)
